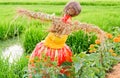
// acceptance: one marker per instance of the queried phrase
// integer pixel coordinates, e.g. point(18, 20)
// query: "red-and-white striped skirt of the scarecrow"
point(63, 54)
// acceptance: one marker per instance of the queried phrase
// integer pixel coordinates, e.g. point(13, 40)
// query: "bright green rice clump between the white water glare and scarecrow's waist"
point(33, 36)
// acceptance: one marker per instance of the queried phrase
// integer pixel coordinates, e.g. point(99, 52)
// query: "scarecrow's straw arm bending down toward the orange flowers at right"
point(89, 28)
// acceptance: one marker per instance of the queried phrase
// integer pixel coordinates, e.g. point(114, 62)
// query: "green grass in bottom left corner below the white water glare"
point(14, 70)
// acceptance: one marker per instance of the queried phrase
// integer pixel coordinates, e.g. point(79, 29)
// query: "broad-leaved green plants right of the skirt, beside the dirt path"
point(89, 65)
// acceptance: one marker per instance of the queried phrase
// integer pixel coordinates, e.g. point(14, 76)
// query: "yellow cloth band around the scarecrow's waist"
point(55, 42)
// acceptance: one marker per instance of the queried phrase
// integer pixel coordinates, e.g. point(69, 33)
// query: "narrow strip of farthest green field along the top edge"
point(60, 2)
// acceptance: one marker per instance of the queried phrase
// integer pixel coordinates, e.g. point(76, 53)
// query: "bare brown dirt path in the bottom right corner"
point(115, 73)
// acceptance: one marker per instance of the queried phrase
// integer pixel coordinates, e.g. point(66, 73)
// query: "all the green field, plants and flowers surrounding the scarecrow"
point(90, 59)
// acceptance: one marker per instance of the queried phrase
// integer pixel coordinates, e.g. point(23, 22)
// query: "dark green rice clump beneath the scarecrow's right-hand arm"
point(79, 41)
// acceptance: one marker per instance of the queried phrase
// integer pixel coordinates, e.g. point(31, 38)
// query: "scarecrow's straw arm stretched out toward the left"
point(37, 15)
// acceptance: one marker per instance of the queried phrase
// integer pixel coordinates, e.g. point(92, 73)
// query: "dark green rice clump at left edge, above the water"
point(8, 30)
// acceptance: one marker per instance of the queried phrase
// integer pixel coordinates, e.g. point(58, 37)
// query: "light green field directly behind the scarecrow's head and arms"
point(103, 16)
